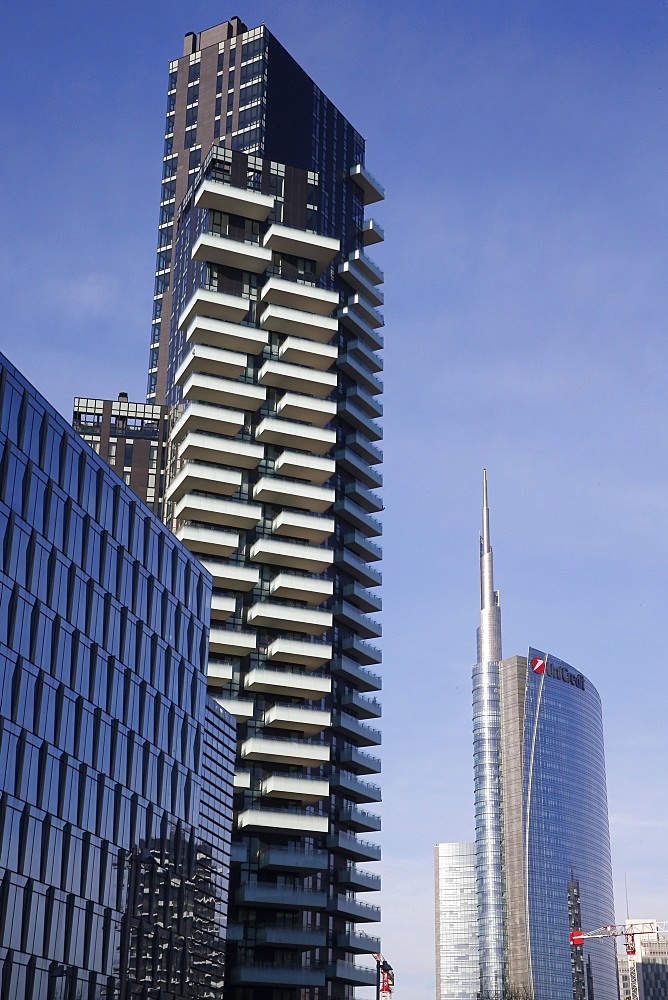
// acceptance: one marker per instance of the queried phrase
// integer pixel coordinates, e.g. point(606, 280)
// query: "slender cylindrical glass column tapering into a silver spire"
point(486, 769)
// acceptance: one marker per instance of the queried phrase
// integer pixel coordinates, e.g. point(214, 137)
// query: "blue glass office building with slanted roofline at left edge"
point(115, 782)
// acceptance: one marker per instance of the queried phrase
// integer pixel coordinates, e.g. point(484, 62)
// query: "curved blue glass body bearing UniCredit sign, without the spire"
point(564, 875)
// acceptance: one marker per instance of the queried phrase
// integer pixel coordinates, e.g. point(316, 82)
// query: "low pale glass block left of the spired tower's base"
point(457, 964)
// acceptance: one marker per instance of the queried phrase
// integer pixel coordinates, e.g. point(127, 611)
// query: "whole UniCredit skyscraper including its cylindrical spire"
point(542, 849)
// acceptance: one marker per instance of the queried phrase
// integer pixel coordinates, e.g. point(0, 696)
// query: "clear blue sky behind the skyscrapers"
point(523, 147)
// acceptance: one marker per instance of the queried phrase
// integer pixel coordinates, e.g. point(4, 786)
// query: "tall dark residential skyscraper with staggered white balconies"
point(266, 346)
